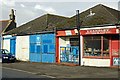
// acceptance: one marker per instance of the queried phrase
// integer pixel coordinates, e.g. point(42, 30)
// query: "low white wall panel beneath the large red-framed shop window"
point(96, 62)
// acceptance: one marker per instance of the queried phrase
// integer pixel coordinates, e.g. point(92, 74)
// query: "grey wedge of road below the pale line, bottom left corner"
point(15, 73)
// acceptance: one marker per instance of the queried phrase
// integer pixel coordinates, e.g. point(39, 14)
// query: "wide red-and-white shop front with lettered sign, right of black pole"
point(101, 46)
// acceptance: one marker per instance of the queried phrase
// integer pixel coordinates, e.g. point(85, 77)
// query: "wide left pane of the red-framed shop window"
point(92, 46)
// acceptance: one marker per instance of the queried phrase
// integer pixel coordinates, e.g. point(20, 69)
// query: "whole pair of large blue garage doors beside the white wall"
point(42, 48)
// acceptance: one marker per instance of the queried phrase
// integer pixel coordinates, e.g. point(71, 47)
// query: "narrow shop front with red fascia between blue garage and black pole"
point(67, 50)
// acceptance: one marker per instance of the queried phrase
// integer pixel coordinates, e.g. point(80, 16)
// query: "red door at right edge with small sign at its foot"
point(115, 46)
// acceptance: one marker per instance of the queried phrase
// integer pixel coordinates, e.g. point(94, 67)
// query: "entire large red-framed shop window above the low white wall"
point(96, 46)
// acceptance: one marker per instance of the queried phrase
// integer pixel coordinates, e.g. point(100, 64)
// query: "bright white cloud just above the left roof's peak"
point(45, 9)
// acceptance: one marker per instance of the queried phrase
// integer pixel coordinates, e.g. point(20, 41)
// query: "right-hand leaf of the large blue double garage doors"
point(48, 48)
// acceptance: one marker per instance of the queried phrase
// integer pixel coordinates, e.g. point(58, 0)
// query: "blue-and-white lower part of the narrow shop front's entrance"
point(69, 54)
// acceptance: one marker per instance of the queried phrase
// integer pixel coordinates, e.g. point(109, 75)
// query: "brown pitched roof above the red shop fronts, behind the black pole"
point(102, 15)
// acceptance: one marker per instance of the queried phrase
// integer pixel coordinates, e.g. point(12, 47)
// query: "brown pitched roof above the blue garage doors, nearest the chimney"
point(46, 22)
